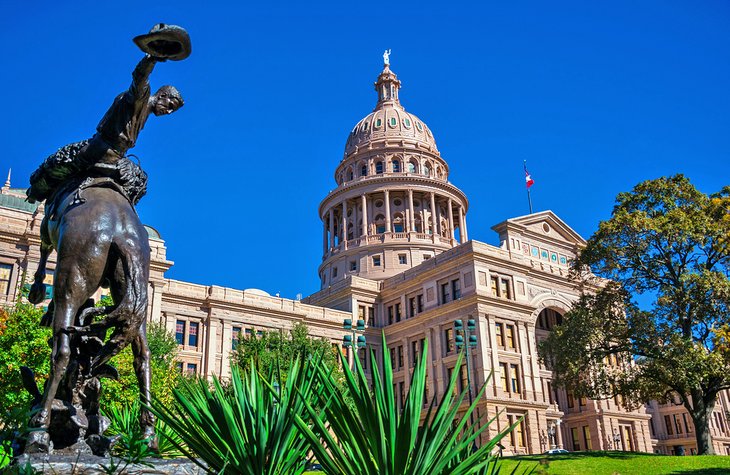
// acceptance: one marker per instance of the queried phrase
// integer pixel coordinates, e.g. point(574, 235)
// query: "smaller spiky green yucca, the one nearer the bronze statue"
point(246, 428)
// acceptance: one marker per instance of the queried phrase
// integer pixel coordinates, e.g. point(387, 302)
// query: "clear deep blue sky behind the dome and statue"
point(597, 96)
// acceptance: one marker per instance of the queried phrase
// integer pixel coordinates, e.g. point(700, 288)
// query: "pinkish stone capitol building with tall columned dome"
point(397, 256)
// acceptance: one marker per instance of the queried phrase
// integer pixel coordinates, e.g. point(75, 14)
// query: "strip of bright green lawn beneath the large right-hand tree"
point(618, 463)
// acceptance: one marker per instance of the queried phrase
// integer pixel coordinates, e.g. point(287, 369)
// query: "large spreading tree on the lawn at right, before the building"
point(666, 246)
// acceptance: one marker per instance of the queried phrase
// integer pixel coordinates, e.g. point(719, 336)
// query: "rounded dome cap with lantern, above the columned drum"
point(389, 121)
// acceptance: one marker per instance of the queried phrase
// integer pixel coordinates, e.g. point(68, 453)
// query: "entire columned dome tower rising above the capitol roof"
point(393, 207)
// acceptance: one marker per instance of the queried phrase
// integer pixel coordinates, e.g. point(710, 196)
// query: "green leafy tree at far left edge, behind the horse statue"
point(23, 342)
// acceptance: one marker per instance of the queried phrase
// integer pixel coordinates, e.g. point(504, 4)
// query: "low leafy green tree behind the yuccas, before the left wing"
point(280, 348)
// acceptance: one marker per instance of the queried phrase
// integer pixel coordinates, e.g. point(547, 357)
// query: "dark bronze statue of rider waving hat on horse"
point(90, 189)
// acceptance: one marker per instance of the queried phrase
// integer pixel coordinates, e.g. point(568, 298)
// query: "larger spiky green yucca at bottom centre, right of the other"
point(376, 438)
